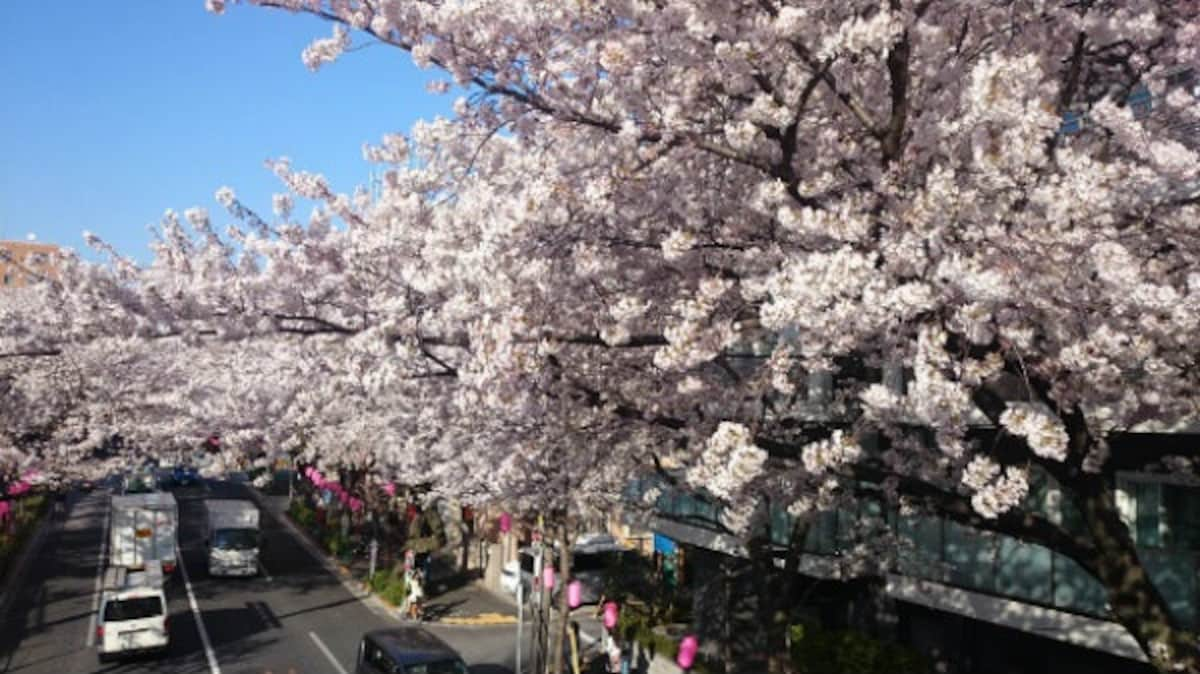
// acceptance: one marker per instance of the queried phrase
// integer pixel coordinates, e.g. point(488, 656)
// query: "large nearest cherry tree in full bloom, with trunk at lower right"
point(646, 194)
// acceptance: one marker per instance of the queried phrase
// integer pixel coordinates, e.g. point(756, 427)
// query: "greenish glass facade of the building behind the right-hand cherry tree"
point(1165, 519)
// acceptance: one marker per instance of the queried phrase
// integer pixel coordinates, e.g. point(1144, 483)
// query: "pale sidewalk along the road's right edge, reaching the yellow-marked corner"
point(453, 599)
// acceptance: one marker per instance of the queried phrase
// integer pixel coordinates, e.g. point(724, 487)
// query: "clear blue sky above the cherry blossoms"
point(115, 112)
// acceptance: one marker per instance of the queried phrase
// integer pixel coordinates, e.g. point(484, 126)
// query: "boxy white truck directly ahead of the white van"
point(145, 529)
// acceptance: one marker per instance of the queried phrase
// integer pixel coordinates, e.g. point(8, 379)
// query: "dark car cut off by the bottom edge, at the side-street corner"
point(407, 651)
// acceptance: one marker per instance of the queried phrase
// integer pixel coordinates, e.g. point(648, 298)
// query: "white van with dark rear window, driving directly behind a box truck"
point(133, 613)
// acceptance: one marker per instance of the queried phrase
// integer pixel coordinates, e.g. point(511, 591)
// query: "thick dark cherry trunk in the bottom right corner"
point(1133, 599)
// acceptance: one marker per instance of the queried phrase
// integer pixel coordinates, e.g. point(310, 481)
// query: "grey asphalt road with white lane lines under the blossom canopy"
point(296, 618)
